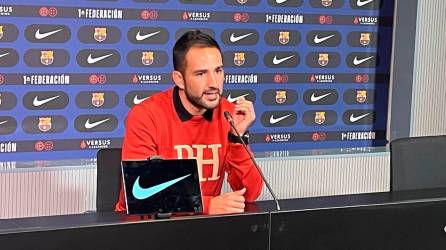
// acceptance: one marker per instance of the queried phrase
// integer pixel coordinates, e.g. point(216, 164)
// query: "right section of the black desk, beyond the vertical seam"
point(397, 220)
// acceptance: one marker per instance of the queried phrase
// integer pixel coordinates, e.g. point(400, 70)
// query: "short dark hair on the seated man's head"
point(192, 38)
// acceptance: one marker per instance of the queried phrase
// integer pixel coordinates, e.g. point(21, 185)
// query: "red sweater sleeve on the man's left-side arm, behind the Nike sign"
point(139, 142)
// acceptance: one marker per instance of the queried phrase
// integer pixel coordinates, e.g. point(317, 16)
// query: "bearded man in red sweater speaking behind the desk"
point(188, 122)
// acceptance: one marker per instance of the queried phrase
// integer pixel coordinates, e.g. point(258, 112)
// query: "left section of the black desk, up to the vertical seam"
point(107, 231)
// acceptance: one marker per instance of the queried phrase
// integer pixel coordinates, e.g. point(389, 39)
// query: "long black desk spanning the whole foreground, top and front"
point(398, 220)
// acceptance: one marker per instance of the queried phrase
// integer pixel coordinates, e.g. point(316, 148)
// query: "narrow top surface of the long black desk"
point(261, 207)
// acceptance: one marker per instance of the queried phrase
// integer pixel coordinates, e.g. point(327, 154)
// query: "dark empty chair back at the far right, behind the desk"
point(418, 163)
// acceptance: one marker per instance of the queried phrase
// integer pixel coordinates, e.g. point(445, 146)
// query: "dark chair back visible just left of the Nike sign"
point(108, 178)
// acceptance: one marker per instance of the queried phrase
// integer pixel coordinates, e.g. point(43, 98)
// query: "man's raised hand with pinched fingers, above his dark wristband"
point(244, 115)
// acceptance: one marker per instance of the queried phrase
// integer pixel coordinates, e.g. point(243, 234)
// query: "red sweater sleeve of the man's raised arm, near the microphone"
point(242, 172)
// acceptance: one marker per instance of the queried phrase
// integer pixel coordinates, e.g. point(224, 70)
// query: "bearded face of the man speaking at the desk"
point(203, 79)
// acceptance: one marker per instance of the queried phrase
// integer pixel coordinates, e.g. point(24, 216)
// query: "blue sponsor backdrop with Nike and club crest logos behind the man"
point(316, 70)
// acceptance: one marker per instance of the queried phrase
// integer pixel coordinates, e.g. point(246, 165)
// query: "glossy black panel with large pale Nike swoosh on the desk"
point(156, 187)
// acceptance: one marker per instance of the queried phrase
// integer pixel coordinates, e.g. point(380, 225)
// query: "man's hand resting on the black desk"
point(227, 203)
